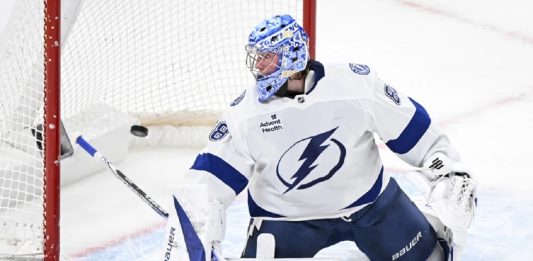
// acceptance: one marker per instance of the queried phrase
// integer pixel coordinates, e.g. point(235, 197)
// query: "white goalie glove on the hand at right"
point(452, 195)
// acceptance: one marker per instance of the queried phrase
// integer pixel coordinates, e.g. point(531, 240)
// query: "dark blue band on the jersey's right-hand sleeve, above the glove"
point(413, 132)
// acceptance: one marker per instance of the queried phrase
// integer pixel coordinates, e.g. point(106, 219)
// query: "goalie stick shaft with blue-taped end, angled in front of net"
point(97, 155)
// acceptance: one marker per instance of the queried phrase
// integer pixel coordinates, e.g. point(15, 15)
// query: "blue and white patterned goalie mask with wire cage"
point(277, 49)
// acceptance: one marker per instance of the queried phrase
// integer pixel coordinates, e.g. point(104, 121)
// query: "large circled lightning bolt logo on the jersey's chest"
point(304, 177)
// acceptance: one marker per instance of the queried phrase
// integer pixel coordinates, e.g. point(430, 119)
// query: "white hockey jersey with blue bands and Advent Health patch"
point(314, 155)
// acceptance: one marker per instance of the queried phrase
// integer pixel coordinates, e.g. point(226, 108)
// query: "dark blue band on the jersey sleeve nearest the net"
point(222, 170)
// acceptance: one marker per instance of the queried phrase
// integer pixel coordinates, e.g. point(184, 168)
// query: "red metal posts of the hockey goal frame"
point(52, 116)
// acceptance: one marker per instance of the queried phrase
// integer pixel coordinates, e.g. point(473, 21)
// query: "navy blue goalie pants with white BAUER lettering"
point(391, 228)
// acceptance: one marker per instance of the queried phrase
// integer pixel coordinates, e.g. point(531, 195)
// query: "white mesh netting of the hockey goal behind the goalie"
point(160, 63)
